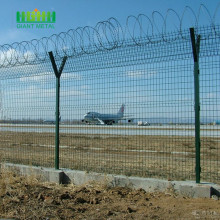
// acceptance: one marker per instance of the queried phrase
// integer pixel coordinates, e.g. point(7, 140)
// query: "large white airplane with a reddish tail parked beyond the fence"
point(108, 119)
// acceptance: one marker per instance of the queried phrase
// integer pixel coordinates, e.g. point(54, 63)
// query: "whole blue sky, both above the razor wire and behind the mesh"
point(152, 84)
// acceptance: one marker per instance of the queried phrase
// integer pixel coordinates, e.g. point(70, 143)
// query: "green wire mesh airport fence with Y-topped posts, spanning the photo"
point(168, 84)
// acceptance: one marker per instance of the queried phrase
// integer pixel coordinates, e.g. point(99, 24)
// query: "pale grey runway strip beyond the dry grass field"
point(171, 130)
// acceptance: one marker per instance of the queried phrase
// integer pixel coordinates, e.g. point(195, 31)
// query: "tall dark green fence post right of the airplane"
point(195, 49)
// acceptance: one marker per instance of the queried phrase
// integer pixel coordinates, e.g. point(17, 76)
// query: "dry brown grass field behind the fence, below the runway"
point(168, 157)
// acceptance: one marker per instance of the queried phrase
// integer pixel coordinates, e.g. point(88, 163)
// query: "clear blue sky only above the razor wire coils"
point(71, 14)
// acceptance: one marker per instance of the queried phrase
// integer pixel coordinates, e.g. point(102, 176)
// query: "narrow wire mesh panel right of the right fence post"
point(210, 112)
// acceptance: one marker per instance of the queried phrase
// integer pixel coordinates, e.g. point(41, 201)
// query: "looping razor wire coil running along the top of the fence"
point(108, 35)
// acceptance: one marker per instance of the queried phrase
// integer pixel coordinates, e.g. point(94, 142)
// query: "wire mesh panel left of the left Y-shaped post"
point(27, 115)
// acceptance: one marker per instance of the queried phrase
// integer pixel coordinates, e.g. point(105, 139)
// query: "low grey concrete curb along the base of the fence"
point(65, 176)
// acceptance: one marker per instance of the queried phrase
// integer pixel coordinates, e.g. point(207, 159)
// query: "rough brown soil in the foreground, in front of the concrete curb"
point(27, 198)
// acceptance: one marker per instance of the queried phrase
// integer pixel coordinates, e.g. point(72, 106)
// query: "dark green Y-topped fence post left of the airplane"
point(57, 129)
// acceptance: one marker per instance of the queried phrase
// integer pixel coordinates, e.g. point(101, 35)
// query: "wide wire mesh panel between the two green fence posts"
point(153, 91)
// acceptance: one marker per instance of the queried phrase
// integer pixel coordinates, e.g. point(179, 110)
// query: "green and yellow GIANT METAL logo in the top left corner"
point(35, 19)
